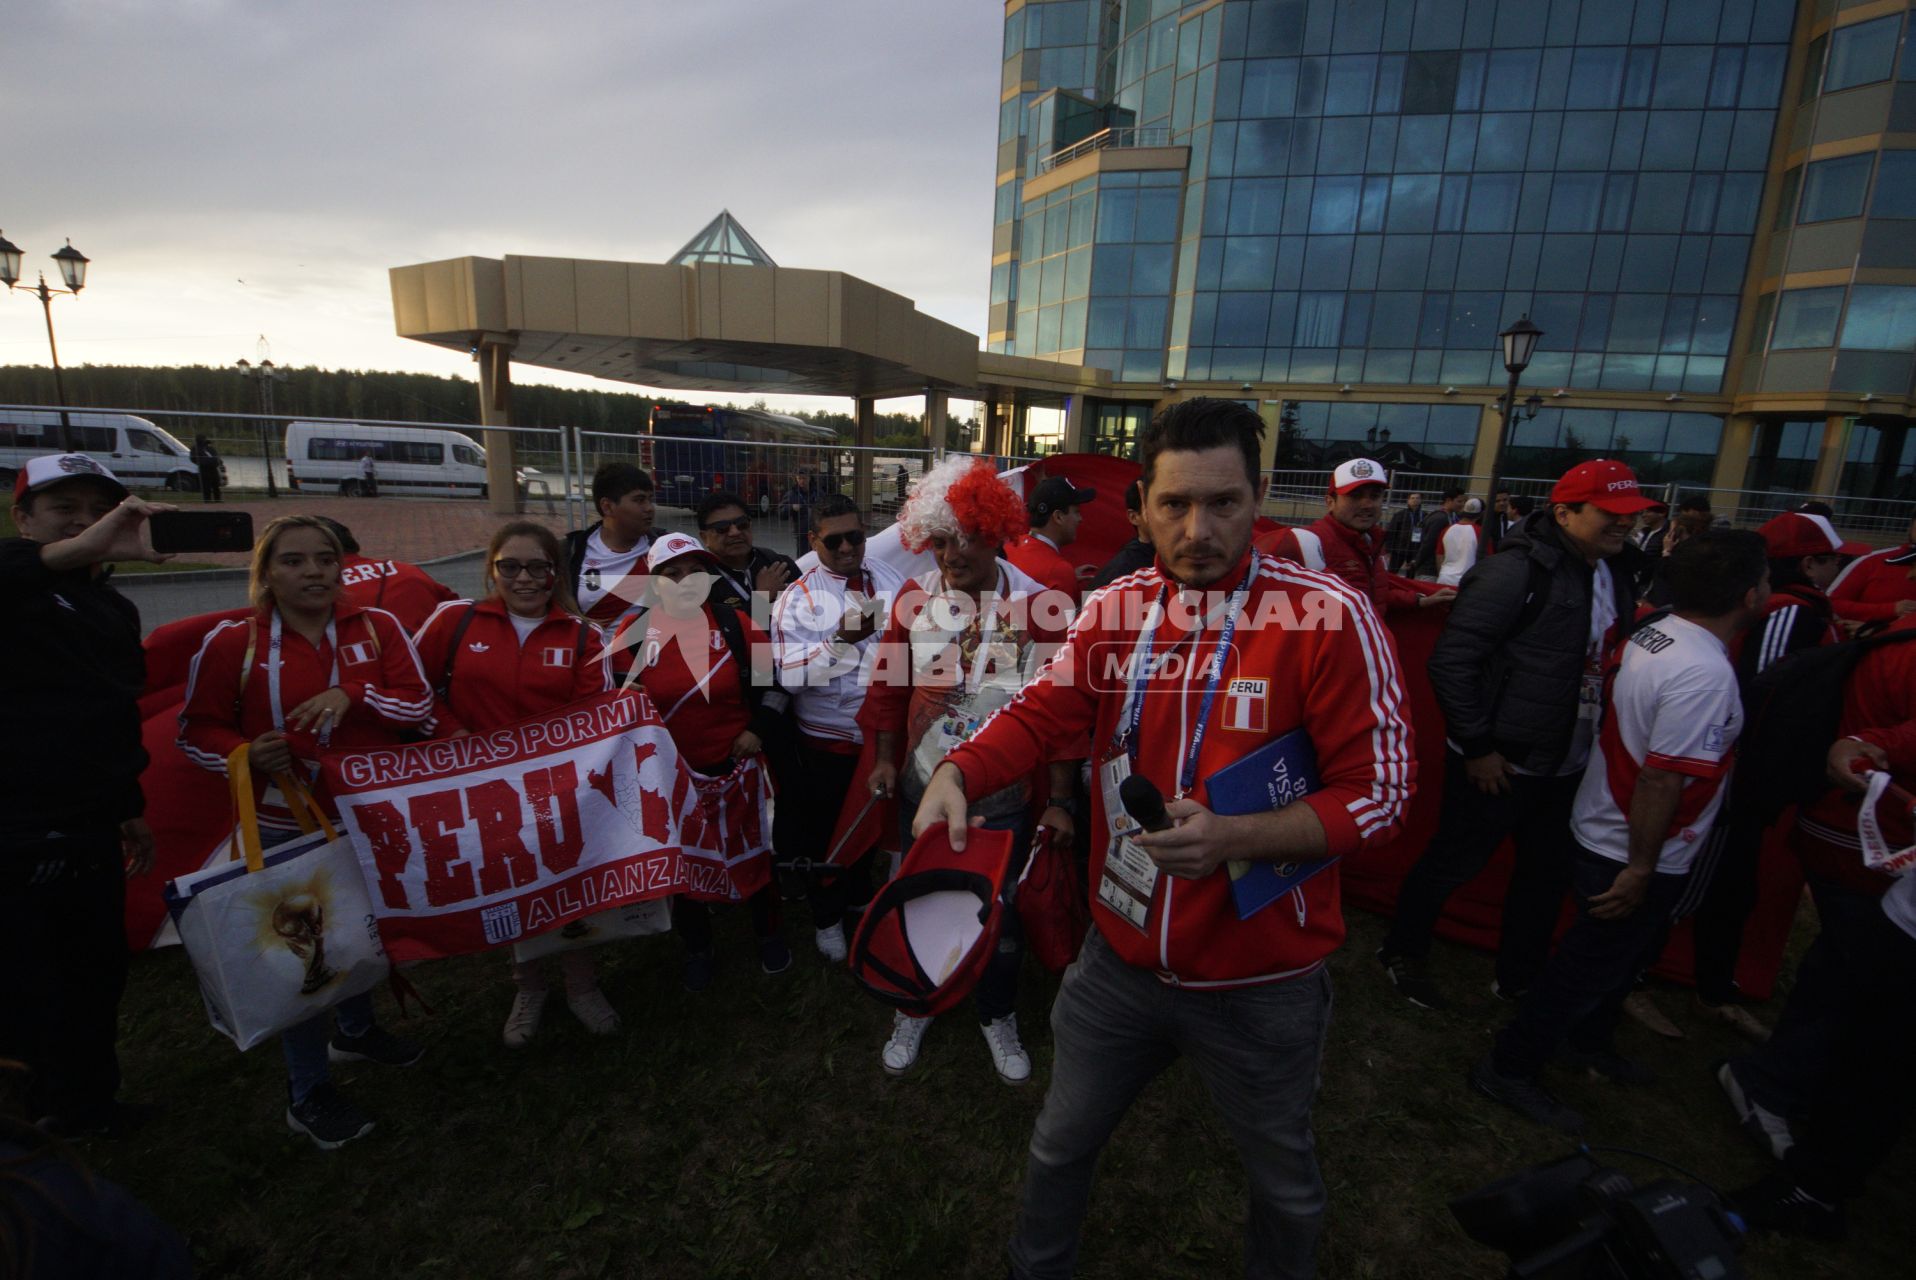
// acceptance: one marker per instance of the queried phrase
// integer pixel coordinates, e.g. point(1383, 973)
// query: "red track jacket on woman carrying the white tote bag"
point(376, 668)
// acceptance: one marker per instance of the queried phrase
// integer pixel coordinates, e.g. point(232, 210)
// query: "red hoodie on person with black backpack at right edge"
point(1879, 708)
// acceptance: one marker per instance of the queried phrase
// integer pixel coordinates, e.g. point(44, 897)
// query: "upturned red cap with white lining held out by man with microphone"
point(926, 938)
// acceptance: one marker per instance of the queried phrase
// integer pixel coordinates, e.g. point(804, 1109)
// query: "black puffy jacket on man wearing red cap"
point(1511, 660)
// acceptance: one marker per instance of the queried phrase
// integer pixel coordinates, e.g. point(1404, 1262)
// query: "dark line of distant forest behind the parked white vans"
point(359, 394)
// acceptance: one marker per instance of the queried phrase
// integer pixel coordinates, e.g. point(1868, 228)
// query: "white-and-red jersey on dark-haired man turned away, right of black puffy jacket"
point(1674, 706)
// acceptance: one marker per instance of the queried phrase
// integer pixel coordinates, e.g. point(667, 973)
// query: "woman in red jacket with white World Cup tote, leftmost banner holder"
point(308, 674)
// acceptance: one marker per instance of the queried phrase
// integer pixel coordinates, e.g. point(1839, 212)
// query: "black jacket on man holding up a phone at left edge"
point(72, 672)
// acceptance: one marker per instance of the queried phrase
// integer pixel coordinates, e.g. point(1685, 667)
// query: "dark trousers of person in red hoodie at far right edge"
point(1861, 982)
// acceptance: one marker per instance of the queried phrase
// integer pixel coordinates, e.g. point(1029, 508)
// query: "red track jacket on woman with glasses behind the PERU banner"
point(495, 679)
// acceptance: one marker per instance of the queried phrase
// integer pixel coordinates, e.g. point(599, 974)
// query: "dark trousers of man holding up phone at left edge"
point(64, 967)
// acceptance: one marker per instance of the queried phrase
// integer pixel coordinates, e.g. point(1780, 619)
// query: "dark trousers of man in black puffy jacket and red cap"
point(1536, 811)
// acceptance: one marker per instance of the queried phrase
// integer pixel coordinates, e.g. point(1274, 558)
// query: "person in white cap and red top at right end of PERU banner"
point(683, 656)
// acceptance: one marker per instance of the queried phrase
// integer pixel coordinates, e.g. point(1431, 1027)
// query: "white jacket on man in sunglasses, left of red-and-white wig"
point(827, 675)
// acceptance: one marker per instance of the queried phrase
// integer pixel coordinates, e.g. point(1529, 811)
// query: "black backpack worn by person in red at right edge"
point(1796, 708)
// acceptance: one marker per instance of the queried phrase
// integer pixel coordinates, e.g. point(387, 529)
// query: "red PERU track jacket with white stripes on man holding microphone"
point(1312, 654)
